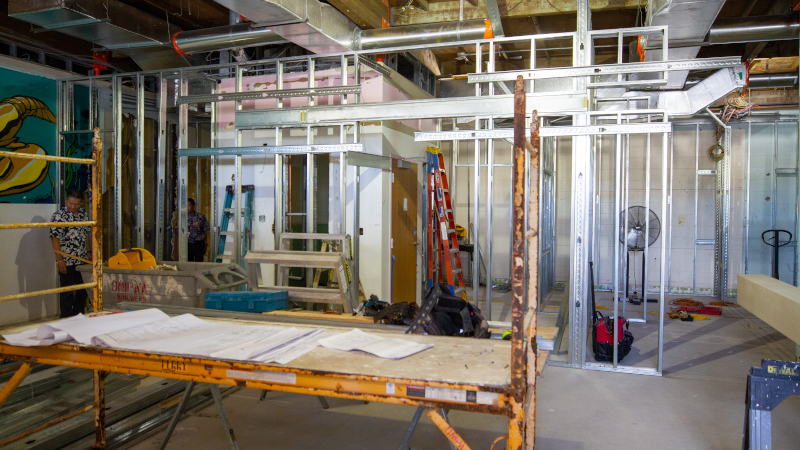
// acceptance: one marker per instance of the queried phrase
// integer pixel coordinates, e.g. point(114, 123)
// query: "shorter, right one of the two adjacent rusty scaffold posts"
point(533, 283)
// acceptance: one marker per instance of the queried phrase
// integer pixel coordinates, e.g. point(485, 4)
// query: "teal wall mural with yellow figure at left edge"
point(27, 125)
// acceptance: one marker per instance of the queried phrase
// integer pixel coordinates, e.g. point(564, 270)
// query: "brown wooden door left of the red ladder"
point(404, 231)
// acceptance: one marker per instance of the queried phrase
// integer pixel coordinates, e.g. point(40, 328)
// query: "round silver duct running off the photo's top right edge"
point(753, 29)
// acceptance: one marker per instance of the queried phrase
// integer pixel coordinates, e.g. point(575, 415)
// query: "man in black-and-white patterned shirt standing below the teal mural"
point(72, 241)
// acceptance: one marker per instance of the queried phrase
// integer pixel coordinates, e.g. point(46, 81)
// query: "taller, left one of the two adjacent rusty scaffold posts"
point(518, 269)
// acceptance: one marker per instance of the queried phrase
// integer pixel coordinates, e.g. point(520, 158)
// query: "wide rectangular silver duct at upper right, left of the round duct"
point(687, 21)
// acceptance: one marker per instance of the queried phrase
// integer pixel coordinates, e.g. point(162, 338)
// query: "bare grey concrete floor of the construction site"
point(697, 404)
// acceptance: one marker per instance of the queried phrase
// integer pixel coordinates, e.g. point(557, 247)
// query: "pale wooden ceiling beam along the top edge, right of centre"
point(448, 11)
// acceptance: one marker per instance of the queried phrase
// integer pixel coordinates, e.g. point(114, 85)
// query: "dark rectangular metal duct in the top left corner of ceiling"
point(106, 23)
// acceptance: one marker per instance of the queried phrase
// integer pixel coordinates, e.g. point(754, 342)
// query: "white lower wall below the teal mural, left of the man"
point(28, 264)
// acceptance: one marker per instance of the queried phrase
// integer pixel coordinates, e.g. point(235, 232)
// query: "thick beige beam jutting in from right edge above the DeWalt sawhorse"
point(773, 301)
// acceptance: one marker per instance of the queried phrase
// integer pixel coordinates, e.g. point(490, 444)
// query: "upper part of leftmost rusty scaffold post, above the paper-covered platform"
point(97, 229)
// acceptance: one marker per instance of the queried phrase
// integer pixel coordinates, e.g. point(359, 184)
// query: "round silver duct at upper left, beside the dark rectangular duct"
point(223, 38)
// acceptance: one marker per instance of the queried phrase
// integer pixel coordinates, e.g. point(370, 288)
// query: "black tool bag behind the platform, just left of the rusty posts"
point(453, 316)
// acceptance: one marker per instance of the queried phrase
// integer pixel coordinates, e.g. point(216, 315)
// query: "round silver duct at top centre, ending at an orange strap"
point(429, 33)
